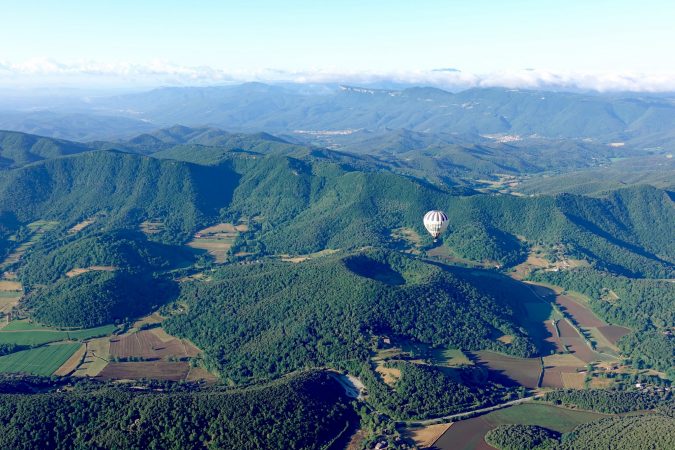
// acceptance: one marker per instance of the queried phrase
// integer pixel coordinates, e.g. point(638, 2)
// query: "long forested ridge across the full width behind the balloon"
point(305, 205)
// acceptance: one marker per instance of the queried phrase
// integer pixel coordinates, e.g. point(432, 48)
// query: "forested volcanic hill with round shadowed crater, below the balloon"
point(267, 319)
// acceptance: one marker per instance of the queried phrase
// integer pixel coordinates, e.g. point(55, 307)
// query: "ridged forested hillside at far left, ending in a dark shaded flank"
point(127, 188)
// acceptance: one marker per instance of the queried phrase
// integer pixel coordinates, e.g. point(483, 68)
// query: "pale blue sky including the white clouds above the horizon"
point(596, 44)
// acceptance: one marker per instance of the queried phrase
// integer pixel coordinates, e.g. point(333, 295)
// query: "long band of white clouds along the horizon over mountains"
point(50, 73)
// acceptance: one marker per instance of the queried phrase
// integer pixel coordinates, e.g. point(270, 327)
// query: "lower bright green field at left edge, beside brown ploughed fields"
point(38, 361)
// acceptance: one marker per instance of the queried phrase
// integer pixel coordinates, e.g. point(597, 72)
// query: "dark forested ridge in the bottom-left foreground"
point(306, 411)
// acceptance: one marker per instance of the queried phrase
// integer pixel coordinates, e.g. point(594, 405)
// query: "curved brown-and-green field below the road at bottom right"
point(468, 434)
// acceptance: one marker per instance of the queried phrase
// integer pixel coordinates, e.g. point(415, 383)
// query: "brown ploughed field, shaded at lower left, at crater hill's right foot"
point(510, 370)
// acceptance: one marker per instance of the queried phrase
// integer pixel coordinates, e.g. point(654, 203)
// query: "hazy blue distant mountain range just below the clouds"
point(474, 111)
